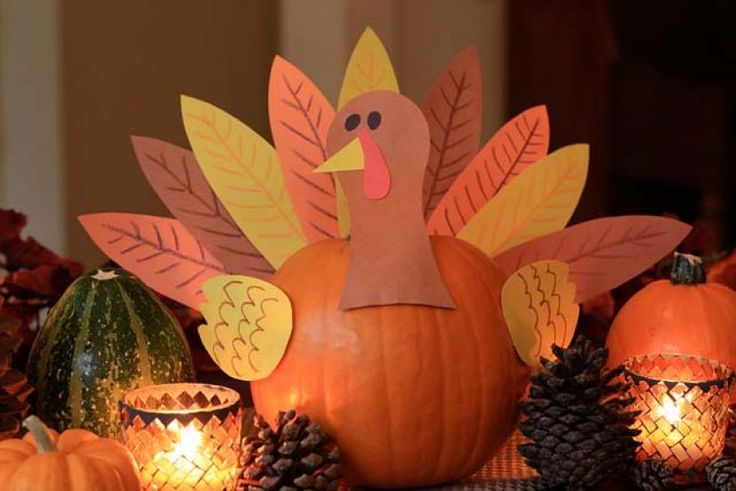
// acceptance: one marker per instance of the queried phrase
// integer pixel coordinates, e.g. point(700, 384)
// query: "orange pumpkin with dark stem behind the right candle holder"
point(683, 315)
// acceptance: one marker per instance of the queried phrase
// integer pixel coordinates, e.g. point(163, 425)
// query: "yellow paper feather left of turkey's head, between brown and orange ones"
point(243, 170)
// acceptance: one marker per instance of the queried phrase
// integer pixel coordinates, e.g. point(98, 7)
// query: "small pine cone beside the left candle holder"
point(296, 455)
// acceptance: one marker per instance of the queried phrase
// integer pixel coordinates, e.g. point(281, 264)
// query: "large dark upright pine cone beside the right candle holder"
point(577, 419)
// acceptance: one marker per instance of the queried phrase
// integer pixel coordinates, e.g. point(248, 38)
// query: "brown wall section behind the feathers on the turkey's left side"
point(125, 64)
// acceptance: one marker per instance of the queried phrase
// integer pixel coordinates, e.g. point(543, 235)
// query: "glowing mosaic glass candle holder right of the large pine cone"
point(683, 402)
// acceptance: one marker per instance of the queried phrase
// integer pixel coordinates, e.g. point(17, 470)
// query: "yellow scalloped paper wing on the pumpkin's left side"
point(248, 326)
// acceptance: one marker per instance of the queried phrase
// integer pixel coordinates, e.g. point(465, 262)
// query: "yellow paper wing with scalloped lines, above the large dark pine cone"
point(540, 310)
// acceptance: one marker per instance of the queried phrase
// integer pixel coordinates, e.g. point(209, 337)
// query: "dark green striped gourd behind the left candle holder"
point(107, 334)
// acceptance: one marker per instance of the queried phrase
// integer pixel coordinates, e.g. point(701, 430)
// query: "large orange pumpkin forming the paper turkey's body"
point(413, 395)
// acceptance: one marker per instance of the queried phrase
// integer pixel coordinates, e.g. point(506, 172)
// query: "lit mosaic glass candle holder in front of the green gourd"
point(185, 437)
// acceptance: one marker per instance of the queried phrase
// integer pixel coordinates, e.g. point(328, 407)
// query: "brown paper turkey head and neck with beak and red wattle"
point(391, 258)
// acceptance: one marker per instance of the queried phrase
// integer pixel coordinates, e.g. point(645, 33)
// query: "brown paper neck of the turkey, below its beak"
point(392, 261)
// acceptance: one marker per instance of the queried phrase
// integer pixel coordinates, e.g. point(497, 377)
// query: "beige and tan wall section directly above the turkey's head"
point(420, 35)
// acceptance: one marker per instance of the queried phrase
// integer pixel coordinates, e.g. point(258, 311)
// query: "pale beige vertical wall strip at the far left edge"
point(31, 139)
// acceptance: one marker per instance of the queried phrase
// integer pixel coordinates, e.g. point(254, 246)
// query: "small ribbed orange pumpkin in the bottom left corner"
point(76, 460)
